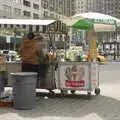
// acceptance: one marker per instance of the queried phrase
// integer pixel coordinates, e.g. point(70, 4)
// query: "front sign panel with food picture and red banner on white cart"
point(73, 76)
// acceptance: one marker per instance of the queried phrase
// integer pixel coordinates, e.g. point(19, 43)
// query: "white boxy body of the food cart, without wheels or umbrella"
point(77, 75)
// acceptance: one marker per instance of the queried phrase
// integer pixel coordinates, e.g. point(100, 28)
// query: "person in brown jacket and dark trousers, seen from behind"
point(30, 53)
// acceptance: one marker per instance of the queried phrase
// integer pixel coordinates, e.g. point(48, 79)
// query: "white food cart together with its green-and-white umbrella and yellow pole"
point(84, 76)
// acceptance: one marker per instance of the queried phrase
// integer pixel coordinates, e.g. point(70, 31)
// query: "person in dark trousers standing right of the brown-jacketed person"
point(43, 62)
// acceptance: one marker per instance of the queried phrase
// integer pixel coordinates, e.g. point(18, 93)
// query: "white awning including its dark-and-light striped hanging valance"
point(9, 25)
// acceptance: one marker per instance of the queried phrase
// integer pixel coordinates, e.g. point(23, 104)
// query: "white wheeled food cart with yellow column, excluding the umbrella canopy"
point(79, 75)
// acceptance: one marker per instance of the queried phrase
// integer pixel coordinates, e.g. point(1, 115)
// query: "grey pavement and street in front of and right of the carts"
point(103, 107)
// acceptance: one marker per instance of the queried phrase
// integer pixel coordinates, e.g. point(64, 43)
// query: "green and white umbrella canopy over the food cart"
point(91, 20)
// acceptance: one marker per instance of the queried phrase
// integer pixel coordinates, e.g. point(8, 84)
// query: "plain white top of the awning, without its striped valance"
point(26, 21)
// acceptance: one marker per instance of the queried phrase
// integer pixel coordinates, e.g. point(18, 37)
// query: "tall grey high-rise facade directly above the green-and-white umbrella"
point(110, 7)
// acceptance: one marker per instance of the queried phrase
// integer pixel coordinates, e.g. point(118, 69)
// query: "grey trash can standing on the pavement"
point(24, 90)
